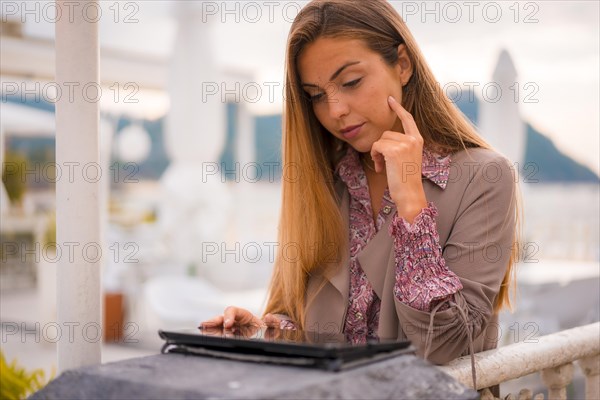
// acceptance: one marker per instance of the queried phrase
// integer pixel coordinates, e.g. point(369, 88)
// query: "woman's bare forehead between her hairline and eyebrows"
point(321, 58)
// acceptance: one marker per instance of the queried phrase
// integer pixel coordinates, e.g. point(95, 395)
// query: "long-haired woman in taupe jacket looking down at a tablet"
point(402, 218)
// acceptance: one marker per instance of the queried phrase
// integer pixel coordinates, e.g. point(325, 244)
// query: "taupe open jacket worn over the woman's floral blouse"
point(475, 222)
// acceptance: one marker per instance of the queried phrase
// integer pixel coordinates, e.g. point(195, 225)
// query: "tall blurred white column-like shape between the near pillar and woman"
point(196, 203)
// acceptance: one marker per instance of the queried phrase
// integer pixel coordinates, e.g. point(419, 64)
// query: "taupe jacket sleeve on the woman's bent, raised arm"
point(478, 251)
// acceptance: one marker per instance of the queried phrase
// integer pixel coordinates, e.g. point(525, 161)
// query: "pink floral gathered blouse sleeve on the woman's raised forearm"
point(422, 277)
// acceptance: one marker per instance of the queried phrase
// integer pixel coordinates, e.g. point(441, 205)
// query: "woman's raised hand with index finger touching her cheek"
point(400, 155)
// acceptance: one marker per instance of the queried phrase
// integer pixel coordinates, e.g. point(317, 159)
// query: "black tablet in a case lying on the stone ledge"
point(330, 351)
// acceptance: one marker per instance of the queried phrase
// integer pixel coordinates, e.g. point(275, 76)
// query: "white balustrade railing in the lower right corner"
point(552, 355)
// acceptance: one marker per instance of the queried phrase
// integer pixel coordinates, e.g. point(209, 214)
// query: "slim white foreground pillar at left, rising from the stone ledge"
point(78, 191)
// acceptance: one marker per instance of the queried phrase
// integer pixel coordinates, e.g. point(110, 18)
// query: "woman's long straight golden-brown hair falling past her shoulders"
point(310, 221)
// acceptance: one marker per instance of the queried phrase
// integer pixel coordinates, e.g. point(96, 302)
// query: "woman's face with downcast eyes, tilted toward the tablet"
point(349, 85)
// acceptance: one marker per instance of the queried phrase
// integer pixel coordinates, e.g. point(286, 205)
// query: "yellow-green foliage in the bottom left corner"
point(16, 383)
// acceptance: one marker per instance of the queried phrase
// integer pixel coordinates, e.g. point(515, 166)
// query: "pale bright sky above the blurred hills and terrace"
point(554, 46)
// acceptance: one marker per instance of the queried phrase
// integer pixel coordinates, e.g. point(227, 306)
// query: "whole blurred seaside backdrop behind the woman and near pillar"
point(191, 100)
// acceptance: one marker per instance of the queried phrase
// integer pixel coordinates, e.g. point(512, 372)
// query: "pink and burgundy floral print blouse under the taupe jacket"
point(422, 278)
